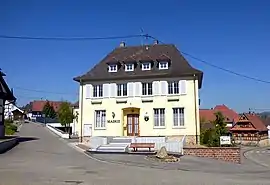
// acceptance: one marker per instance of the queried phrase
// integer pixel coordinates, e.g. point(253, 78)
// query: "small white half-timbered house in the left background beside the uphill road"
point(11, 109)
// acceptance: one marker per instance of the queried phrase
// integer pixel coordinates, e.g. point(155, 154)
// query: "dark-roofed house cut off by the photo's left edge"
point(5, 94)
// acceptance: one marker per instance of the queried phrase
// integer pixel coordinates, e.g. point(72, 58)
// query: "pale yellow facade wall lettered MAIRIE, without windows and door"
point(136, 105)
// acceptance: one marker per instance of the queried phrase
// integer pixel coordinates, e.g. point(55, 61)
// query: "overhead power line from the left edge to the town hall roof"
point(72, 38)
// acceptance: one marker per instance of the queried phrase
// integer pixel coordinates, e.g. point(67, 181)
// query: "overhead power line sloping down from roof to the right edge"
point(218, 67)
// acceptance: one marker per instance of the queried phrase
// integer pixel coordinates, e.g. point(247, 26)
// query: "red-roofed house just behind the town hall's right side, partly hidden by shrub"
point(208, 115)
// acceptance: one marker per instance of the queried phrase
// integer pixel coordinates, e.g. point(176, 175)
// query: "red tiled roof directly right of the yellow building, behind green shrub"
point(209, 114)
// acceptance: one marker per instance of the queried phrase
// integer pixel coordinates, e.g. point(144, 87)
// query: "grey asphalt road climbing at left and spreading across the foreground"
point(50, 160)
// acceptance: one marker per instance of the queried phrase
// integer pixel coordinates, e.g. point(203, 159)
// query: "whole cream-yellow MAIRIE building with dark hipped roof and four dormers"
point(147, 90)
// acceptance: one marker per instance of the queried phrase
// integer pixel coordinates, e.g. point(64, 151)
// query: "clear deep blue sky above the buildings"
point(230, 34)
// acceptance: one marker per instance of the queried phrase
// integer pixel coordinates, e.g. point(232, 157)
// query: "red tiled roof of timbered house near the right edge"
point(254, 120)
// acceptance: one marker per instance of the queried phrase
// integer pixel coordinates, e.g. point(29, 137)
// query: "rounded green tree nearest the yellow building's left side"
point(65, 114)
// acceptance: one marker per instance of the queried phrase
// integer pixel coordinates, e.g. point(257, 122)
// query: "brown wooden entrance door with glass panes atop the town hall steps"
point(132, 124)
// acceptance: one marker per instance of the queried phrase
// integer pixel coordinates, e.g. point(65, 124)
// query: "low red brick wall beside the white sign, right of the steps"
point(228, 154)
